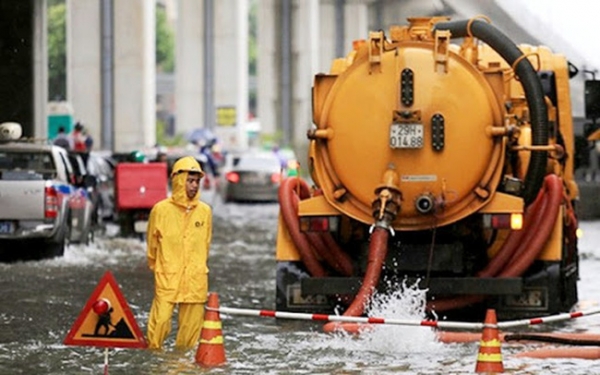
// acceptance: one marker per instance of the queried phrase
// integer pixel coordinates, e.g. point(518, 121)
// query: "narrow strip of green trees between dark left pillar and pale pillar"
point(57, 54)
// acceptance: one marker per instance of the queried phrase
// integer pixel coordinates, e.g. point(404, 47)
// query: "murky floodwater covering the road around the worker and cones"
point(40, 301)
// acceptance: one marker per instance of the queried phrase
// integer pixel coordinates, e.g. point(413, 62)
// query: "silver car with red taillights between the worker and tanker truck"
point(252, 176)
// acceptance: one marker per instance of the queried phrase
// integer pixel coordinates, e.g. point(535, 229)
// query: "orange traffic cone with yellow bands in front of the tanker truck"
point(489, 359)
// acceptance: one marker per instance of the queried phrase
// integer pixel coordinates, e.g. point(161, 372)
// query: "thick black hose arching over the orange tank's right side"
point(531, 85)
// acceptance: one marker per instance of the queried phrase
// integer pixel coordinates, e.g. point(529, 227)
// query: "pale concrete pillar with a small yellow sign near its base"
point(228, 70)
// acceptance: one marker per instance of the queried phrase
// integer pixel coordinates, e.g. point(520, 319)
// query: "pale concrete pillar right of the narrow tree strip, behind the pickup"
point(84, 88)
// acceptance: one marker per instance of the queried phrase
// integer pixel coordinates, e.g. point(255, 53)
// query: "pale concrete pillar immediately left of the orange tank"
point(304, 63)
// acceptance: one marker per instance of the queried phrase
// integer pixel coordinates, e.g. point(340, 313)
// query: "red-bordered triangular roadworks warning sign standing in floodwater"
point(106, 320)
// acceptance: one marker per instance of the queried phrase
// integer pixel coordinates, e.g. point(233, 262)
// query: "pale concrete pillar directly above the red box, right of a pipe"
point(134, 75)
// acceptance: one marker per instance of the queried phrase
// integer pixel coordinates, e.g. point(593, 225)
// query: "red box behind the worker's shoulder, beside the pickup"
point(140, 185)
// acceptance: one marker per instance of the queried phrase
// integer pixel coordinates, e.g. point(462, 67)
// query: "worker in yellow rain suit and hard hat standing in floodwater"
point(179, 237)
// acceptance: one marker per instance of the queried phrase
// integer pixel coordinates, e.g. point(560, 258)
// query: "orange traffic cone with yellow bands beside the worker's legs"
point(211, 351)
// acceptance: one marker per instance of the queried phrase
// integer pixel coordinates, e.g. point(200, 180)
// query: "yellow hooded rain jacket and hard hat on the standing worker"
point(179, 236)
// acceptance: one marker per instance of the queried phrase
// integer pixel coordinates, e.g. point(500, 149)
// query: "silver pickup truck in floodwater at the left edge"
point(42, 207)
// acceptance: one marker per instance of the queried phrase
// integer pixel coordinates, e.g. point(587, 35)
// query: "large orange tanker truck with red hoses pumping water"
point(440, 164)
